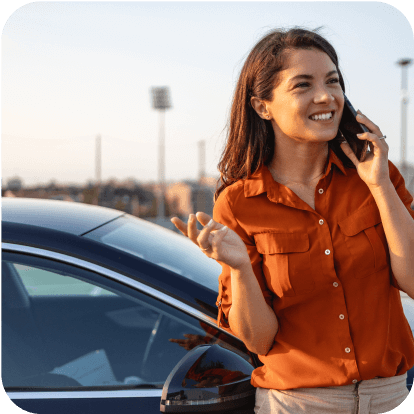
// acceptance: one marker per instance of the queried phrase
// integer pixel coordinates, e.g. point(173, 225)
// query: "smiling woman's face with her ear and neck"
point(303, 113)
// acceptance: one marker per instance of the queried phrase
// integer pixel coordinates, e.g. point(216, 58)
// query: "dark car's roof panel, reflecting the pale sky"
point(70, 217)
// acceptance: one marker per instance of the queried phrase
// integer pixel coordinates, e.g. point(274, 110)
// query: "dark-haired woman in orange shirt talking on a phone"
point(315, 238)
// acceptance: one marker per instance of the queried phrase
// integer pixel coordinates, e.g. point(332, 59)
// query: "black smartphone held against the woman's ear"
point(349, 127)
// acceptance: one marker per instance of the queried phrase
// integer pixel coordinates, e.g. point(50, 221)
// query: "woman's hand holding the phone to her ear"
point(374, 169)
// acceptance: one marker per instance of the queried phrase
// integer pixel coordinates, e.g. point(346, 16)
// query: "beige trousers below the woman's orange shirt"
point(375, 396)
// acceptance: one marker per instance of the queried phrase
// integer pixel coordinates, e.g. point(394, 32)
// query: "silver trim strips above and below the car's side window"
point(154, 293)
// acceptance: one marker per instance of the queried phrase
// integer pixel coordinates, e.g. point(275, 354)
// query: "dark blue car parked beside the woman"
point(105, 312)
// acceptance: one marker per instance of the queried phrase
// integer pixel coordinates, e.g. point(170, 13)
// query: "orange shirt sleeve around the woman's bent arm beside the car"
point(222, 213)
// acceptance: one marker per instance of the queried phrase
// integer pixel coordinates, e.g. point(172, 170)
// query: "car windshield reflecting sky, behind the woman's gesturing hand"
point(161, 246)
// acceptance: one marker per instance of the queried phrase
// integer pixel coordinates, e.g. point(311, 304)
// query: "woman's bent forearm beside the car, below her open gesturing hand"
point(250, 317)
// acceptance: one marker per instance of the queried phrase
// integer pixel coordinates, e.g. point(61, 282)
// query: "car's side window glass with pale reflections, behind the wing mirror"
point(64, 327)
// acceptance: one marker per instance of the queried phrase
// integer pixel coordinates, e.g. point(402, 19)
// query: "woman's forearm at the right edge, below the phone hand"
point(399, 231)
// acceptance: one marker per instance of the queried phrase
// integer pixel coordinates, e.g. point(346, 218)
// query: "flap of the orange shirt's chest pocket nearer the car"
point(270, 243)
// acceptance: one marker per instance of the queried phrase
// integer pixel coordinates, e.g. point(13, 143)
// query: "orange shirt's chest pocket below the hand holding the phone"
point(361, 232)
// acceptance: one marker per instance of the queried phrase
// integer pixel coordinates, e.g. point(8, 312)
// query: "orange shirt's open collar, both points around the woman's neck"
point(262, 180)
